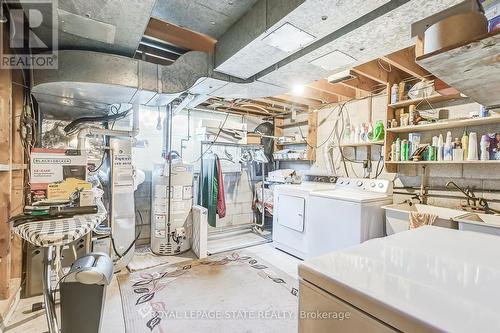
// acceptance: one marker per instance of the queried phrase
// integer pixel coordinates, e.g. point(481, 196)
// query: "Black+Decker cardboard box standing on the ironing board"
point(57, 173)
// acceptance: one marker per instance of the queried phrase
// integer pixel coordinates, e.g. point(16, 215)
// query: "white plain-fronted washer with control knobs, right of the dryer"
point(348, 215)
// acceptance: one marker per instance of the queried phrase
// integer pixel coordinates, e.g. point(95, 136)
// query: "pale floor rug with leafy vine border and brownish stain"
point(231, 292)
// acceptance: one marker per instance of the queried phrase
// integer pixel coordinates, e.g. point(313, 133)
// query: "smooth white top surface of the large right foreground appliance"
point(446, 278)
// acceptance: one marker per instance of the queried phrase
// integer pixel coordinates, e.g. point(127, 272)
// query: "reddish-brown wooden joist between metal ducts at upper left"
point(180, 37)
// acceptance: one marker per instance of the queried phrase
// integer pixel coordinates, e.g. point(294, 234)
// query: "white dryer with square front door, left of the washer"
point(291, 213)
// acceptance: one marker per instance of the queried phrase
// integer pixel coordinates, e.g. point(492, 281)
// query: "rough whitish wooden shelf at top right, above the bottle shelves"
point(470, 66)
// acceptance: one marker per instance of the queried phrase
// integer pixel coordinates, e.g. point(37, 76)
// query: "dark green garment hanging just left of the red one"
point(210, 188)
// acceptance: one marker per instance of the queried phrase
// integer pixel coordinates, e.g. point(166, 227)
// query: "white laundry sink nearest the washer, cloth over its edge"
point(397, 216)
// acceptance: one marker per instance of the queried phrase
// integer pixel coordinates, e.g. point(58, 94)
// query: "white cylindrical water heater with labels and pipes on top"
point(172, 200)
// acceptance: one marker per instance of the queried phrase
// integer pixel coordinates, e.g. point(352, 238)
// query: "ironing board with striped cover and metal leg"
point(51, 234)
